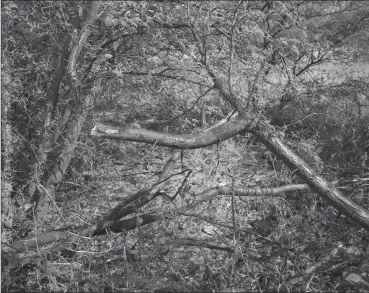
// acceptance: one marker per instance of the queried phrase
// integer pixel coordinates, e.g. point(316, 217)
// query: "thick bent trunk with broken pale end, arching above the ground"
point(262, 130)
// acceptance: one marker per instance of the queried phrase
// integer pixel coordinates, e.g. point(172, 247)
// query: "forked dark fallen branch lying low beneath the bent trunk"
point(110, 220)
